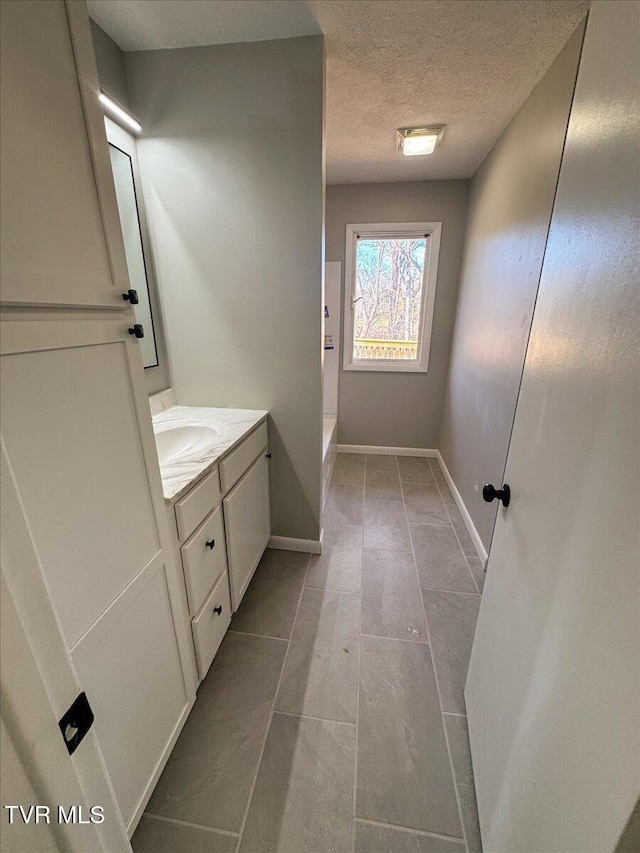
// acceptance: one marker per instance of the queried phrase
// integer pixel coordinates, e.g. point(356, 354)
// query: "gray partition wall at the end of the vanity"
point(232, 165)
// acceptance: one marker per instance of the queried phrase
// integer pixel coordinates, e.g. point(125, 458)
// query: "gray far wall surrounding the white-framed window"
point(400, 409)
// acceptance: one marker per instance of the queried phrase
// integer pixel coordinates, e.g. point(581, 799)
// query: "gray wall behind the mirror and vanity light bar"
point(112, 76)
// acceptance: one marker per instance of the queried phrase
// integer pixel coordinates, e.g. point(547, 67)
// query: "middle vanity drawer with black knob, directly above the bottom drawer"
point(204, 559)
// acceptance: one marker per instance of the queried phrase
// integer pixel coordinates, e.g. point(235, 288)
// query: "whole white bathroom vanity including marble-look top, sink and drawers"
point(215, 480)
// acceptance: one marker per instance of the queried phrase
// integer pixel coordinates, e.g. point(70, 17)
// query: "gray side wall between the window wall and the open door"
point(510, 208)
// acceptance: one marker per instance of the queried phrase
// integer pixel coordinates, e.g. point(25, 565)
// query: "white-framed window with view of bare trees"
point(390, 288)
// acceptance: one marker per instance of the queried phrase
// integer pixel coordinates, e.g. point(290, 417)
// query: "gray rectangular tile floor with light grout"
point(333, 718)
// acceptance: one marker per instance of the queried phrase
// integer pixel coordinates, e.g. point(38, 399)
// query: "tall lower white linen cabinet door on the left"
point(74, 429)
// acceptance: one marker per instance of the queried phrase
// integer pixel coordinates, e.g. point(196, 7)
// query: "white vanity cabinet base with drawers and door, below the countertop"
point(222, 527)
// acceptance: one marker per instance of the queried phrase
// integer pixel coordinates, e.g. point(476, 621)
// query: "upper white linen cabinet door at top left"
point(61, 243)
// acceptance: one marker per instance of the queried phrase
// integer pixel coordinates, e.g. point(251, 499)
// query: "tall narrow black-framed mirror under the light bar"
point(123, 177)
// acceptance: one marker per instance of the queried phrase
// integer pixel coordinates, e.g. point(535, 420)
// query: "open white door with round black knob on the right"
point(553, 691)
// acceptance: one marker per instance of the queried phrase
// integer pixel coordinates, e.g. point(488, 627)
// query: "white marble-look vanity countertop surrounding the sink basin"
point(230, 425)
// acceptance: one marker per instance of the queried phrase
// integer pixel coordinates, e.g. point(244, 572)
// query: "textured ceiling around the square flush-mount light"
point(469, 64)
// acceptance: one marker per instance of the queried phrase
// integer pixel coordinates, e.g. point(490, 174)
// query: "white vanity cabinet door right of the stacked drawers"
point(248, 526)
